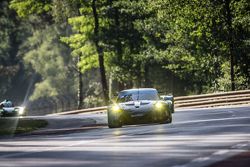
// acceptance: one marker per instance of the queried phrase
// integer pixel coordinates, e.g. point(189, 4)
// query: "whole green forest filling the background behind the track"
point(89, 50)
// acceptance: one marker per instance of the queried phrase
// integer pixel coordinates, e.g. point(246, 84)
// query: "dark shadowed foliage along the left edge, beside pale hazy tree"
point(12, 33)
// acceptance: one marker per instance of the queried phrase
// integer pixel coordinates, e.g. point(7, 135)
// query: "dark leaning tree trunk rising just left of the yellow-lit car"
point(100, 53)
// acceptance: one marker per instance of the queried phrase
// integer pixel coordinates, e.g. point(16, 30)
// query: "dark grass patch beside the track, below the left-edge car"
point(12, 126)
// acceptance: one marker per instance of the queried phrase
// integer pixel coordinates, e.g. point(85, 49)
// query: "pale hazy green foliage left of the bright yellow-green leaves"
point(48, 57)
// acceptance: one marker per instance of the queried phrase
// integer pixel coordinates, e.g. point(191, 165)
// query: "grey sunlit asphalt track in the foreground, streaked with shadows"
point(197, 137)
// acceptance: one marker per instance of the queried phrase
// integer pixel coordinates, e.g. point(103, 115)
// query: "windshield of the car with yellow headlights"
point(134, 95)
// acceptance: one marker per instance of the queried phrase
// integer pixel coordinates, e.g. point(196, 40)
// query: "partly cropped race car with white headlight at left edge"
point(7, 109)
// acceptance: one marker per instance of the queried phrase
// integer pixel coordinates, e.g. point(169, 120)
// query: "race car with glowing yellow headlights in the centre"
point(141, 105)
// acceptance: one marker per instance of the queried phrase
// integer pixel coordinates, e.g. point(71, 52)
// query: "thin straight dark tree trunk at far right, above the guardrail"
point(231, 42)
